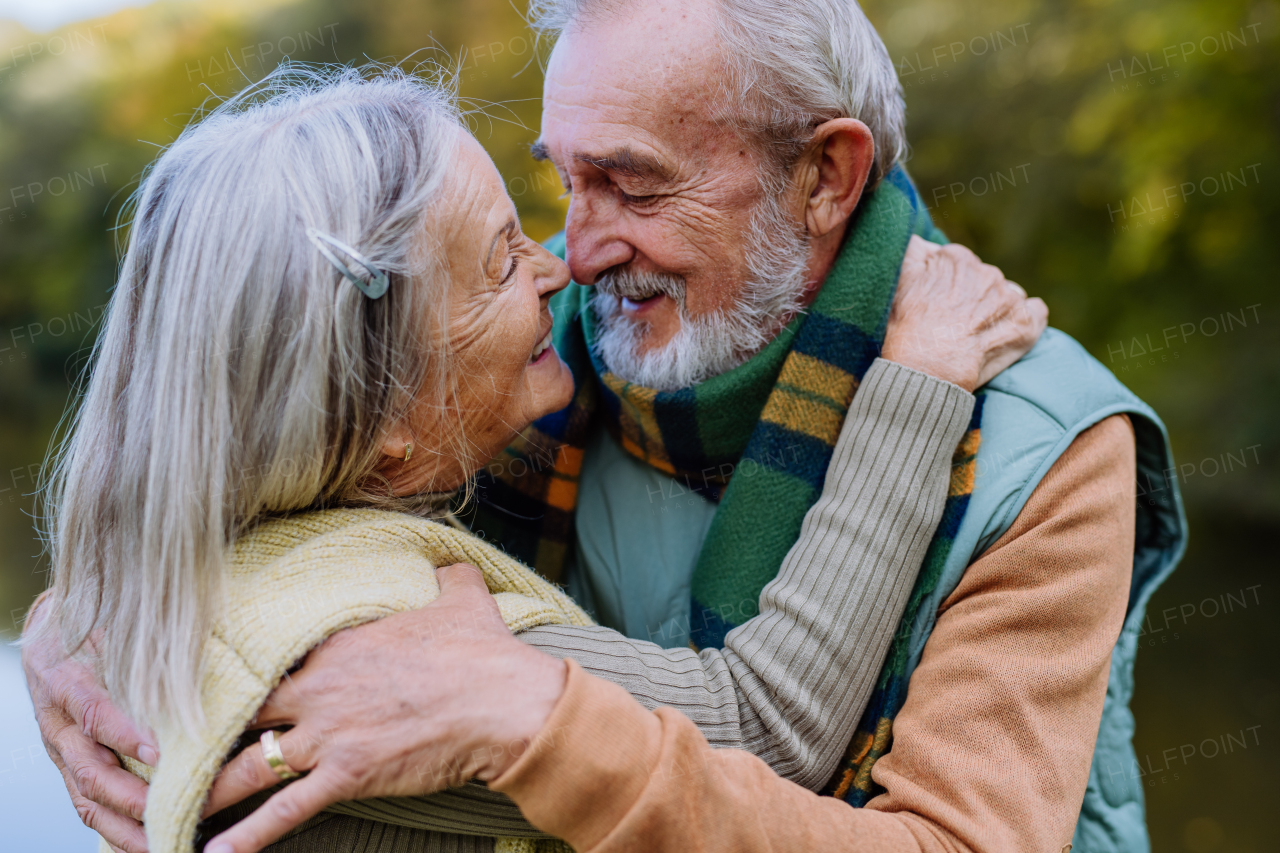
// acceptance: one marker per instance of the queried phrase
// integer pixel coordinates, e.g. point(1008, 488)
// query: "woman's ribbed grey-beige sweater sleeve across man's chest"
point(790, 685)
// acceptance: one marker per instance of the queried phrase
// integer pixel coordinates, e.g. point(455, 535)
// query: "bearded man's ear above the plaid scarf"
point(834, 174)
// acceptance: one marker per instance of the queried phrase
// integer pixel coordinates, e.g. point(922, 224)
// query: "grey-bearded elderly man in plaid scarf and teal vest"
point(1002, 706)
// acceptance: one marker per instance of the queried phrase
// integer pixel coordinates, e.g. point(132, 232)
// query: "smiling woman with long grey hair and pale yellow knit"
point(327, 321)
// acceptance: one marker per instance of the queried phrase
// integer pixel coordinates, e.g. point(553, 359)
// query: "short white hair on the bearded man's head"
point(792, 66)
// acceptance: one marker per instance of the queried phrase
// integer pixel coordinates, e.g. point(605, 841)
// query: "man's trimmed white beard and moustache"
point(707, 346)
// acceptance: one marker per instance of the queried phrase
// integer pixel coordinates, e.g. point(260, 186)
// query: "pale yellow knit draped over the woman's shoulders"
point(291, 585)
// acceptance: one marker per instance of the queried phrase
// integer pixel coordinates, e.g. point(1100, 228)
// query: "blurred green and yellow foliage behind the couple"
point(1118, 158)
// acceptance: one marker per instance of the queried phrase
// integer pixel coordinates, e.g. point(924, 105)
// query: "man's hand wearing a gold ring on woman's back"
point(404, 706)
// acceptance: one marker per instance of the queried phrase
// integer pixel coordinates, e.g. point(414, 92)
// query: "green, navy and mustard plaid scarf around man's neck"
point(757, 441)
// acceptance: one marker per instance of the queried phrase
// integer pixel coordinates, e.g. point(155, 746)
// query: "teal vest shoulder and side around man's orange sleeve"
point(1031, 414)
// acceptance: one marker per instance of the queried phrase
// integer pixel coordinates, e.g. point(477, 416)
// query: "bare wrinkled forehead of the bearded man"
point(646, 75)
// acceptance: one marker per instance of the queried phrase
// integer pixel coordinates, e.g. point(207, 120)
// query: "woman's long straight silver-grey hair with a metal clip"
point(240, 373)
